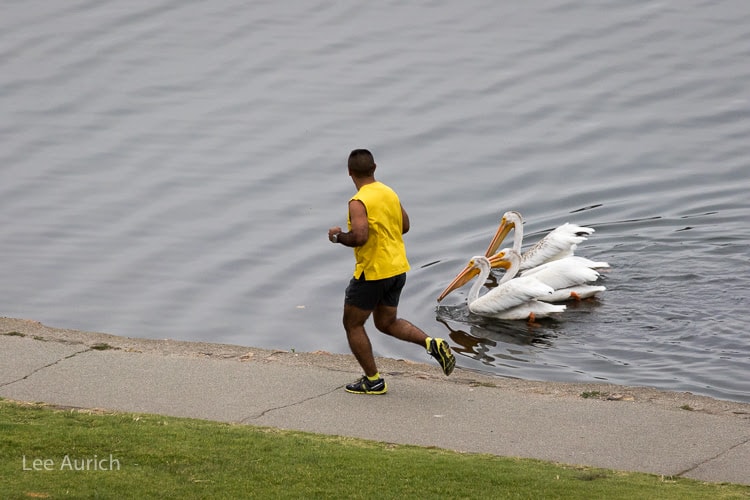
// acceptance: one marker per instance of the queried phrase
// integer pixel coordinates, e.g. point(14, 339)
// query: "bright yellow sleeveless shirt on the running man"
point(384, 254)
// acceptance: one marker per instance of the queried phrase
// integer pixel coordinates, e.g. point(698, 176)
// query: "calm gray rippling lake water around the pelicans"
point(169, 169)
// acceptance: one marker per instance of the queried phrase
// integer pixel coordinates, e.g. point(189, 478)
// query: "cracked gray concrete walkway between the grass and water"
point(622, 428)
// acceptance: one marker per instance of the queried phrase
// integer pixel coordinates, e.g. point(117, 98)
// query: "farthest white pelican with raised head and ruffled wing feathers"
point(559, 243)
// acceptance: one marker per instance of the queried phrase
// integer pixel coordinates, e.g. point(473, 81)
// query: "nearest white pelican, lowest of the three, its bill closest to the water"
point(513, 298)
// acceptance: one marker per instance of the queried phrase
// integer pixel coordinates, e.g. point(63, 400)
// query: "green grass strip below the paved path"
point(165, 457)
